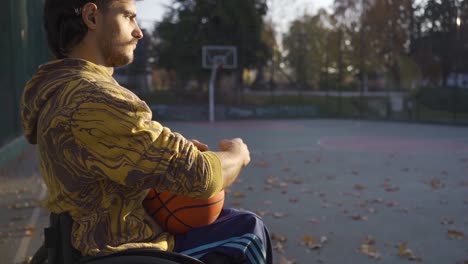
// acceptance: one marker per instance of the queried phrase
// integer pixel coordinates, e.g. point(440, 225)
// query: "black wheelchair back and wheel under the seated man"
point(57, 249)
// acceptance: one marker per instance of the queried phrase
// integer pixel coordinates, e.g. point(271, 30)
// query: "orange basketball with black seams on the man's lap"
point(178, 214)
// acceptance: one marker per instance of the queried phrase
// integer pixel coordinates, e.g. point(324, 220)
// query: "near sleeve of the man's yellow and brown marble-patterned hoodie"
point(114, 129)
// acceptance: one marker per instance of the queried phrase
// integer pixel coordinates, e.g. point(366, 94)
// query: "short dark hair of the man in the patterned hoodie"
point(64, 25)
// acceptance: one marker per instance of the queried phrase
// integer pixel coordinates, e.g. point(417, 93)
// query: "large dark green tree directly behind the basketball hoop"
point(190, 24)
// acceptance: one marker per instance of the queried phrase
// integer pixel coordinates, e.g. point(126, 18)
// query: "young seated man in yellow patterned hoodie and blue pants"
point(100, 151)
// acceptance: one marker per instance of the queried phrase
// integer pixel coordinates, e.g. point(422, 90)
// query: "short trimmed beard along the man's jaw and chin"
point(116, 56)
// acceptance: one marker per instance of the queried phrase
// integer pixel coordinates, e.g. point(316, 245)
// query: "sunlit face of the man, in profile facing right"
point(119, 33)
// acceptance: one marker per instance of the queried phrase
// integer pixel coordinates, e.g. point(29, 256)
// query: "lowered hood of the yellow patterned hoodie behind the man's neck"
point(49, 79)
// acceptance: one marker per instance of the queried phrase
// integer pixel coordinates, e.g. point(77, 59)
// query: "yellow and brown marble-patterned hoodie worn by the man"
point(100, 151)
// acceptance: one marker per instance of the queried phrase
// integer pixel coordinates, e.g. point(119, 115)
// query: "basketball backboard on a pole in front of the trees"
point(224, 56)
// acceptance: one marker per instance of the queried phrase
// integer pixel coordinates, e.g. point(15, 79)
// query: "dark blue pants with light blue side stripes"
point(238, 234)
